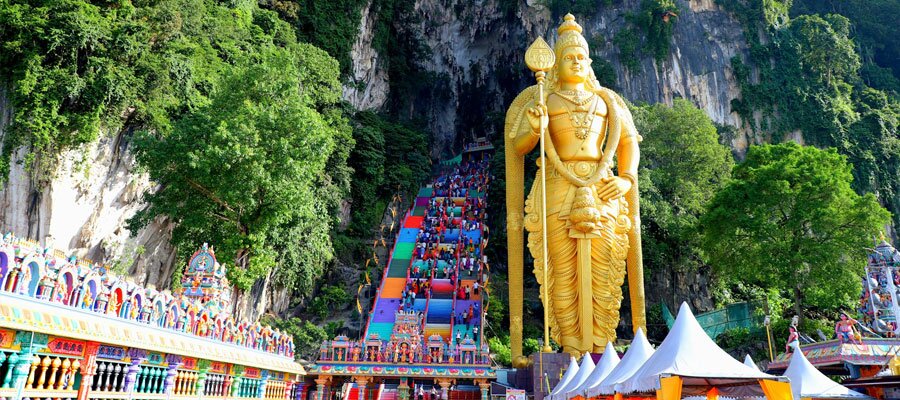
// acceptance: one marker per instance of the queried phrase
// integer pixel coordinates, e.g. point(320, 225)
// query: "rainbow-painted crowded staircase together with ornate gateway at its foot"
point(424, 333)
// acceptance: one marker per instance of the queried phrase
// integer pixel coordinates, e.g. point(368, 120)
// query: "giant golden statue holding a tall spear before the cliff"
point(592, 224)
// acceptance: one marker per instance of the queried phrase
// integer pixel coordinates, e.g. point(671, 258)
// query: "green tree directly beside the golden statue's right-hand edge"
point(682, 166)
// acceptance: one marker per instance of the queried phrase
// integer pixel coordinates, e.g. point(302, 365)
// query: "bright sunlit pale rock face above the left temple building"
point(85, 206)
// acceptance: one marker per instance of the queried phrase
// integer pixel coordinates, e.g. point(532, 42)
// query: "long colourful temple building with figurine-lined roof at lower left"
point(70, 329)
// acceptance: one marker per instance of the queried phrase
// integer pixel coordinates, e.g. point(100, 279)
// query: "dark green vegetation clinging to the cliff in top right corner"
point(816, 87)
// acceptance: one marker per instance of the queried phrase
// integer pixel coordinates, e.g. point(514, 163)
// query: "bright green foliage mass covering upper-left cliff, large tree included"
point(202, 83)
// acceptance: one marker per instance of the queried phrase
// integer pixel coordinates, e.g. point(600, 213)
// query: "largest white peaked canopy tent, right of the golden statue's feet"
point(689, 353)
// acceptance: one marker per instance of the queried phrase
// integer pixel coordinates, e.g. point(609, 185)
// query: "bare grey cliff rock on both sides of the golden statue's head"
point(476, 55)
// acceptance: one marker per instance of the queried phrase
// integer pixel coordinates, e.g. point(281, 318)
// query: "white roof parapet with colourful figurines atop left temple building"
point(44, 291)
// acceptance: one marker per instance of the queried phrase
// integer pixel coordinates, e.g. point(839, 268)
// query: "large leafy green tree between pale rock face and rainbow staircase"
point(253, 163)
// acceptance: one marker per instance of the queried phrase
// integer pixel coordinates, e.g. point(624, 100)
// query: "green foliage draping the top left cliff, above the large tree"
point(76, 68)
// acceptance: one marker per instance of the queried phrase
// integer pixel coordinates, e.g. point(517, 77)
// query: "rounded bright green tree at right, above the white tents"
point(789, 221)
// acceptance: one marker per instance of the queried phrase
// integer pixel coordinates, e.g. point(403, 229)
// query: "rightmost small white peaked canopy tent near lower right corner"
point(808, 382)
